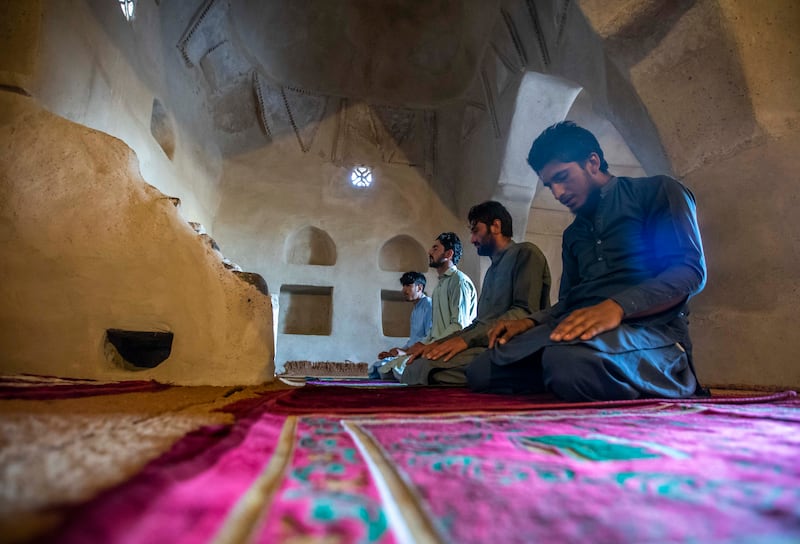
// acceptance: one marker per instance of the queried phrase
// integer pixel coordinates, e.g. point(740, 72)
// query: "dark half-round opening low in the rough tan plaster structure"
point(137, 350)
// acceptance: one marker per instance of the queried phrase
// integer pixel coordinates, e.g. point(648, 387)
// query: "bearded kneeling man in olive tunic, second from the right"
point(516, 284)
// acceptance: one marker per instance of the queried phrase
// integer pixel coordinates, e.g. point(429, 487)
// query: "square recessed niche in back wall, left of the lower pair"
point(306, 309)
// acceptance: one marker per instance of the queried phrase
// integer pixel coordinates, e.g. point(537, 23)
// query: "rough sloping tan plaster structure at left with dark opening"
point(88, 246)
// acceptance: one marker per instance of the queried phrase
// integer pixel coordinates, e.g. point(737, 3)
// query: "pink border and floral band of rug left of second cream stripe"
point(268, 478)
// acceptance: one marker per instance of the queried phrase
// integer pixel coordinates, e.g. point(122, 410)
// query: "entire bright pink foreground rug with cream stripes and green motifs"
point(686, 471)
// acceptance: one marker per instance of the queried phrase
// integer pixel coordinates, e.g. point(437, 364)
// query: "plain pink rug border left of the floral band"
point(186, 495)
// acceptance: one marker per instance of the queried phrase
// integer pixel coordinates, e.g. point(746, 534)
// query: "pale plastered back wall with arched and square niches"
point(270, 199)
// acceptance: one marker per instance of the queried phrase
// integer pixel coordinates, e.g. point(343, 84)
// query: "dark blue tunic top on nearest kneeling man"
point(641, 248)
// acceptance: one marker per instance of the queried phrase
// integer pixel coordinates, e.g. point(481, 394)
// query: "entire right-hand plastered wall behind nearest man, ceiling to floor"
point(721, 84)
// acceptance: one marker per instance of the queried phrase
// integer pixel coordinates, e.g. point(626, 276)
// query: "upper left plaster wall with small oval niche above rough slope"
point(94, 68)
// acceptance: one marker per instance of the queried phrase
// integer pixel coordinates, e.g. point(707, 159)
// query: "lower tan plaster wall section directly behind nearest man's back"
point(744, 322)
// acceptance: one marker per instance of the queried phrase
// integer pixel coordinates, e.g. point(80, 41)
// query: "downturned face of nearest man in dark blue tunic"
point(571, 183)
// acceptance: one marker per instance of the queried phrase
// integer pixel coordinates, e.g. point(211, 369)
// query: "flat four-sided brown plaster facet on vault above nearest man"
point(695, 90)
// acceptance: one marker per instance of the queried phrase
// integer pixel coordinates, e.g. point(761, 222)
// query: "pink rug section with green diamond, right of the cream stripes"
point(662, 473)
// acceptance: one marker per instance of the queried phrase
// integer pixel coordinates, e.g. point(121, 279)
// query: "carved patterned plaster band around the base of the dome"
point(242, 95)
